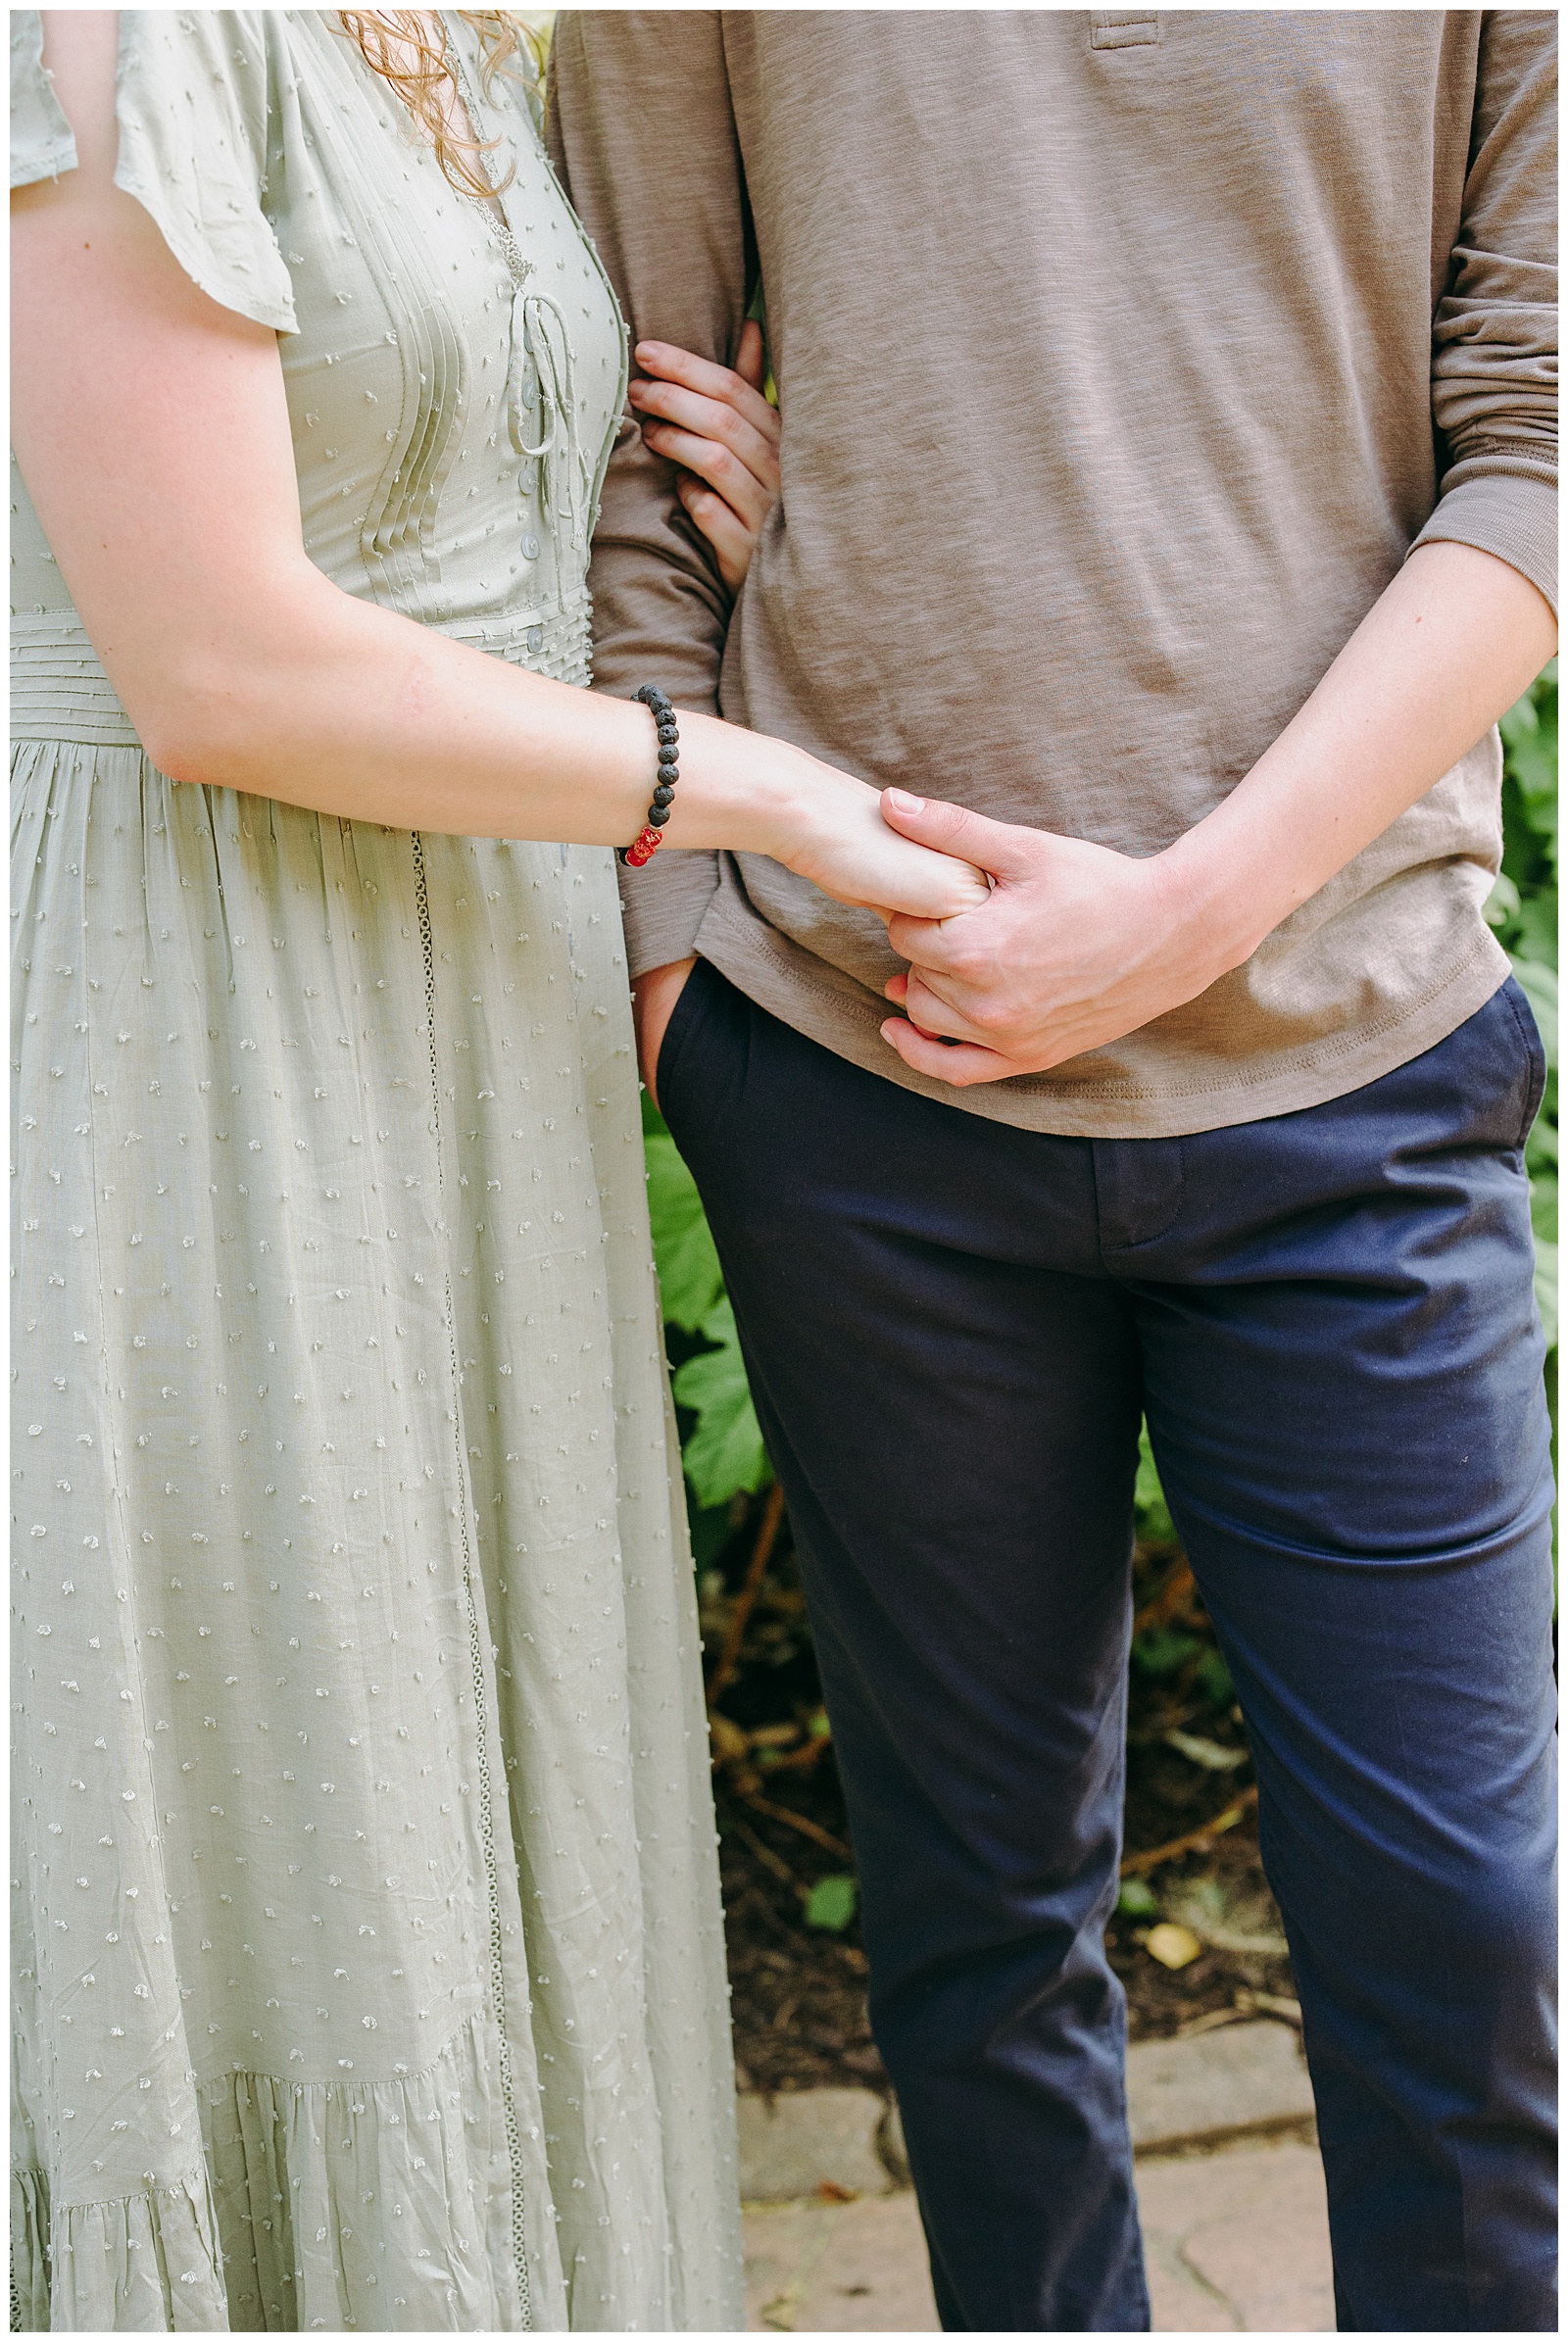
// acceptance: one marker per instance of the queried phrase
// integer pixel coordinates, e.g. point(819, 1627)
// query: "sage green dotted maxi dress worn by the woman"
point(369, 1961)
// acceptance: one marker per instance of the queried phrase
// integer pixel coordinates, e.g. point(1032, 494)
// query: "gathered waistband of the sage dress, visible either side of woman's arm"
point(60, 690)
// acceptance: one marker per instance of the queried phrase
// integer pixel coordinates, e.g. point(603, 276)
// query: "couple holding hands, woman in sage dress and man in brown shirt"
point(1054, 844)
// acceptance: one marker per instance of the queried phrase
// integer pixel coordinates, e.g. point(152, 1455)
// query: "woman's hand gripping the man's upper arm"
point(721, 430)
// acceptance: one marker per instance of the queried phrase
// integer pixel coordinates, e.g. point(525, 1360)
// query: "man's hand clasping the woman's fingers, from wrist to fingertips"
point(1075, 947)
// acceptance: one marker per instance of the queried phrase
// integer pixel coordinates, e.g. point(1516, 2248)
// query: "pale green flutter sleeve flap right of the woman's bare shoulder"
point(193, 109)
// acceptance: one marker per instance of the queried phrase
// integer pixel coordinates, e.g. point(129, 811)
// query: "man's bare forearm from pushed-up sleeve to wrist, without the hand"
point(1438, 659)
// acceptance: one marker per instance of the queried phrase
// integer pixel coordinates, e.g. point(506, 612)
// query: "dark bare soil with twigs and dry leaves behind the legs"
point(798, 1980)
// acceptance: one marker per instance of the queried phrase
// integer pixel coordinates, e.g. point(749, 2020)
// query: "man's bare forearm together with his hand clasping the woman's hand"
point(1082, 945)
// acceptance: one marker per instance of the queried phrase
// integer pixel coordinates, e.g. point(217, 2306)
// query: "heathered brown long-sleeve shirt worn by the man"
point(1124, 357)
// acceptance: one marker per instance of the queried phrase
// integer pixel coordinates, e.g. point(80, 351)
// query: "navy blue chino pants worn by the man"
point(953, 1329)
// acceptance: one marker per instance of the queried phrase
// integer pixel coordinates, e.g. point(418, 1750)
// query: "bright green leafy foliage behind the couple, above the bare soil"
point(723, 1446)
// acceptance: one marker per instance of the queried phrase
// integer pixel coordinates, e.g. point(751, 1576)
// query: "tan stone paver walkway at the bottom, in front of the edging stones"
point(1236, 2242)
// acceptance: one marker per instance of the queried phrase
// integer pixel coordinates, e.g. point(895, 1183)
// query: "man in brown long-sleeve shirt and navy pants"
point(1126, 359)
